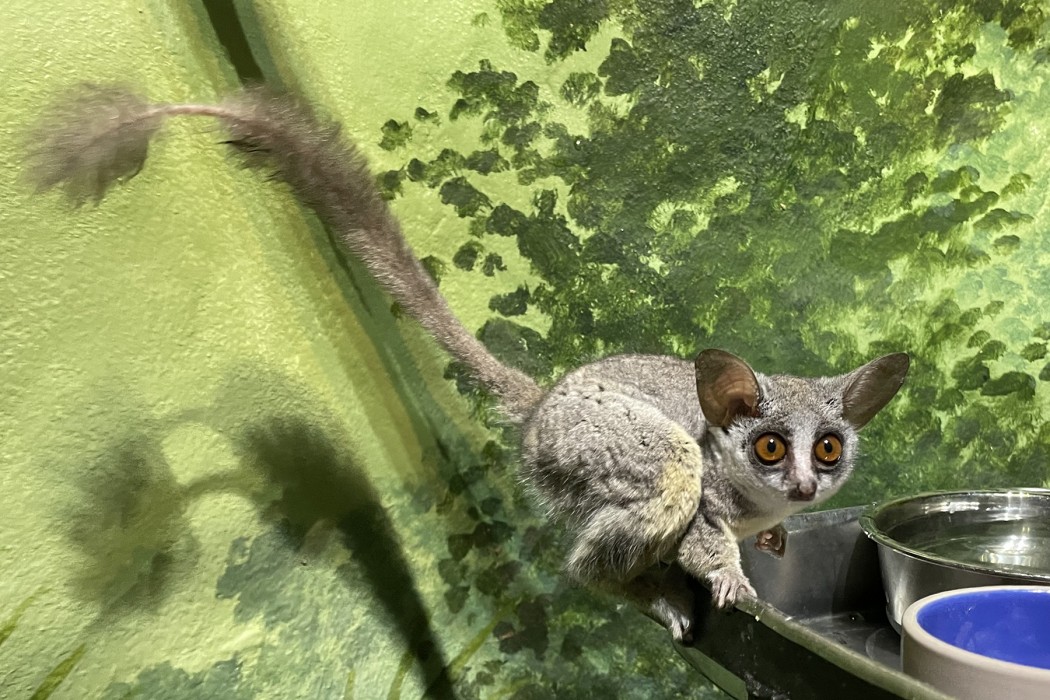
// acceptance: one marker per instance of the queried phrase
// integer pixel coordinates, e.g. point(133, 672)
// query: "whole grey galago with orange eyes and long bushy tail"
point(647, 460)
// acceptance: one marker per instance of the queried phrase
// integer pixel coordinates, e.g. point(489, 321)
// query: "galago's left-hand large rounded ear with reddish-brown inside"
point(727, 388)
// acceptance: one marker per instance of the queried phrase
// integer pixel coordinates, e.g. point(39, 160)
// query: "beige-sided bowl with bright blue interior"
point(981, 643)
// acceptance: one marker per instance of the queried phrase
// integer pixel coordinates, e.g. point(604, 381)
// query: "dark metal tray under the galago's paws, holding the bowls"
point(820, 629)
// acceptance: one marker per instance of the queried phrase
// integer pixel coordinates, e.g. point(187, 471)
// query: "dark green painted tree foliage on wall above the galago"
point(806, 187)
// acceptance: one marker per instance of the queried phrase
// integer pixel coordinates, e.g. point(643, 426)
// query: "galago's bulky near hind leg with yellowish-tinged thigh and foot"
point(627, 480)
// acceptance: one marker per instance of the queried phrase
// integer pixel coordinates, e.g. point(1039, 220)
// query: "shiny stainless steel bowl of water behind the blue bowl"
point(949, 540)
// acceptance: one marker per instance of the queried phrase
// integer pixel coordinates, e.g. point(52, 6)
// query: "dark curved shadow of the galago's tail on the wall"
point(132, 528)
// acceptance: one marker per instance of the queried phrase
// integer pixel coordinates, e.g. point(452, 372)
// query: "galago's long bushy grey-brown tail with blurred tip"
point(98, 136)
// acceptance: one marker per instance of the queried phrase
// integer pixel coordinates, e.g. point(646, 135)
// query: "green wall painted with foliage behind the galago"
point(228, 471)
